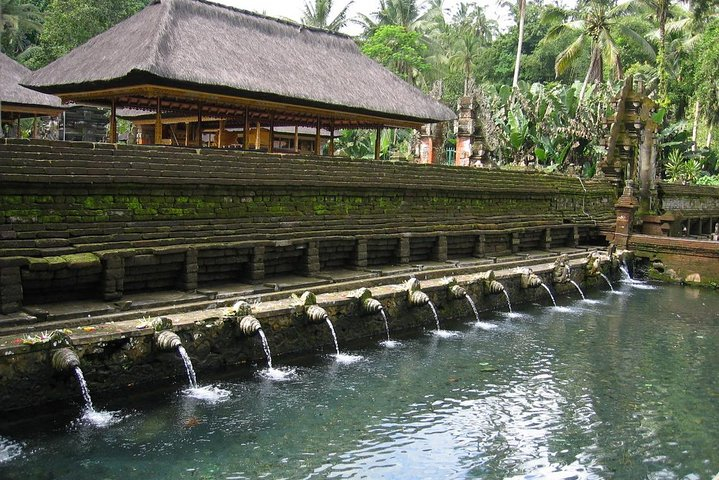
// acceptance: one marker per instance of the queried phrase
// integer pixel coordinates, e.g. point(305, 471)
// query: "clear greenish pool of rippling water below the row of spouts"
point(623, 385)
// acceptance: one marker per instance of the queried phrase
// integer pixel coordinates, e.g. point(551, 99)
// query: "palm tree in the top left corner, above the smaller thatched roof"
point(17, 22)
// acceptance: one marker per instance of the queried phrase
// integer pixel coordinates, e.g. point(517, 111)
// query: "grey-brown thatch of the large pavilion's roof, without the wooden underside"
point(201, 46)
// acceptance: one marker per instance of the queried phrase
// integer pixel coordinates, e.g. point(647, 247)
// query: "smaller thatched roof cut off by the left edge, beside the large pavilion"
point(17, 101)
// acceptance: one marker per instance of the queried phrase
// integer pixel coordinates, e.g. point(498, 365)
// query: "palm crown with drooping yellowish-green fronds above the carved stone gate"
point(594, 31)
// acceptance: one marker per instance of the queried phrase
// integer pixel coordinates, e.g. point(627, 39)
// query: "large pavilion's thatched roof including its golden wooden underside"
point(200, 59)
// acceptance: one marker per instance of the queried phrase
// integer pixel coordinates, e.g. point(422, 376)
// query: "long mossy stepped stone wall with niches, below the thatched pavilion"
point(82, 220)
